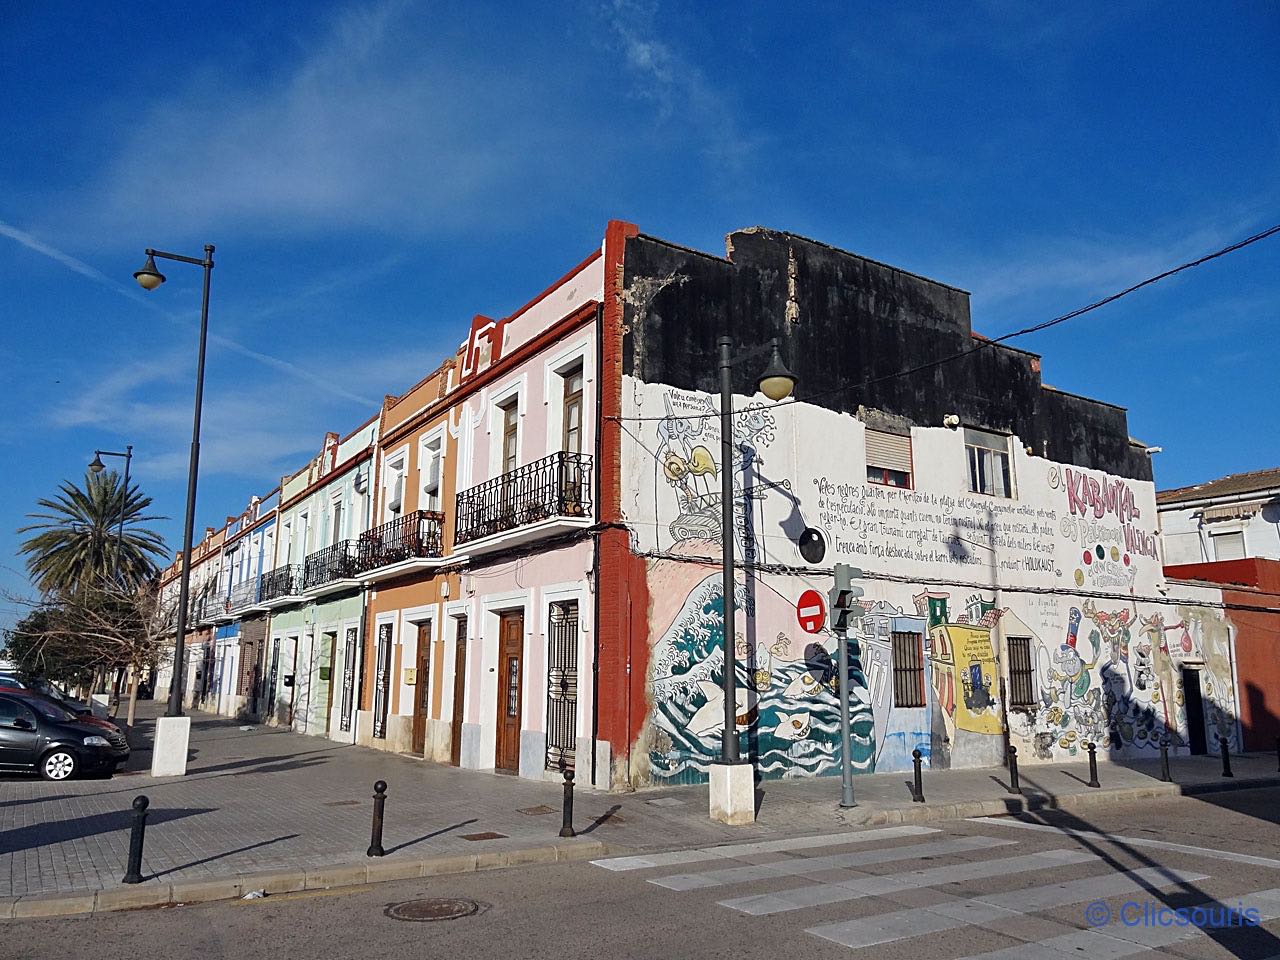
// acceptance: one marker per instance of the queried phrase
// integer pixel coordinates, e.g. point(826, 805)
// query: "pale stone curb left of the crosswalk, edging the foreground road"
point(350, 875)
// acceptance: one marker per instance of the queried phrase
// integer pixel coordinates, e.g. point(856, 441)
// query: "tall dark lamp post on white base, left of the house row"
point(170, 756)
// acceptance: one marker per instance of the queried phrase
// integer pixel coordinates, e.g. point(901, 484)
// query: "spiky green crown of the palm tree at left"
point(75, 542)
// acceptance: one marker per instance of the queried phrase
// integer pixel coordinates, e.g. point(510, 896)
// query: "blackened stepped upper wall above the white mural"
point(851, 322)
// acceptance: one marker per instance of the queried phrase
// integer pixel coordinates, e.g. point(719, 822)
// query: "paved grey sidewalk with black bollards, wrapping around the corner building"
point(284, 811)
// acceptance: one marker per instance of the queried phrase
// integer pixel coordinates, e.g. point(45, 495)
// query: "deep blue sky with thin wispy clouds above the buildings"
point(374, 175)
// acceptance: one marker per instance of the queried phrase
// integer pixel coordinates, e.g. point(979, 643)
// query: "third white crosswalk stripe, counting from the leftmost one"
point(842, 892)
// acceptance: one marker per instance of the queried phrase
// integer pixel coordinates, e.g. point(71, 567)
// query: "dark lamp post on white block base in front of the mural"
point(733, 788)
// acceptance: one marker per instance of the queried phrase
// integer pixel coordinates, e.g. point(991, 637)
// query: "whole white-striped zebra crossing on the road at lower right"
point(828, 872)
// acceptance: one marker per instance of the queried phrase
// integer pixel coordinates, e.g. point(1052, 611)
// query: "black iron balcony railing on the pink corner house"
point(559, 486)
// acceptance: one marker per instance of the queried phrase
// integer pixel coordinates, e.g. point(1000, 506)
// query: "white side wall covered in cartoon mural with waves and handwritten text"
point(989, 620)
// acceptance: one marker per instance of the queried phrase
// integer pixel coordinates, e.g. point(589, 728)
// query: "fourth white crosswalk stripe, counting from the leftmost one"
point(959, 912)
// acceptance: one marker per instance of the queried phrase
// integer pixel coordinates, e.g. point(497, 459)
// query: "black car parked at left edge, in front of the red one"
point(39, 735)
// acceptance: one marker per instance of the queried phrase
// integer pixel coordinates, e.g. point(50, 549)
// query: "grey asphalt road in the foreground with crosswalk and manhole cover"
point(961, 889)
